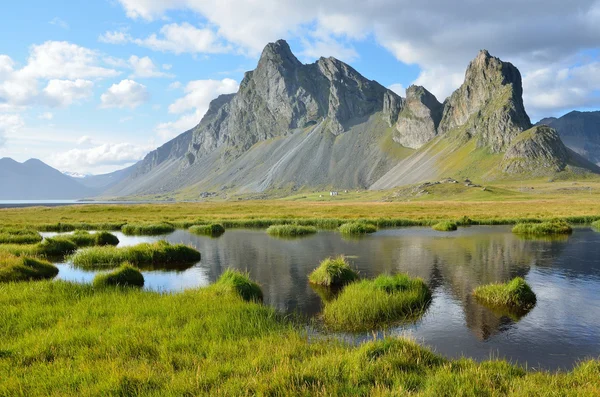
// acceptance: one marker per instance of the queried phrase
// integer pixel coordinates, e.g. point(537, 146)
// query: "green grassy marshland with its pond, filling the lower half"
point(246, 303)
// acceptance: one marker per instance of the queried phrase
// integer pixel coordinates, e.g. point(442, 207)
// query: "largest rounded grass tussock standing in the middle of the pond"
point(372, 304)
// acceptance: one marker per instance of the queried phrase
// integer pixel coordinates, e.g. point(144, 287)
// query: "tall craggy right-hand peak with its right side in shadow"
point(488, 105)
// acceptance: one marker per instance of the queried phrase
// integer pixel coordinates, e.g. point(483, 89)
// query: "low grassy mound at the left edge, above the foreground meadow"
point(14, 268)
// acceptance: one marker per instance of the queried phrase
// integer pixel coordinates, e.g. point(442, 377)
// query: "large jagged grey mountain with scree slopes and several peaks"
point(323, 125)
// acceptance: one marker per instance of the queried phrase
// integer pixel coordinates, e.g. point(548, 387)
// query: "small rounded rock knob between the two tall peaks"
point(419, 119)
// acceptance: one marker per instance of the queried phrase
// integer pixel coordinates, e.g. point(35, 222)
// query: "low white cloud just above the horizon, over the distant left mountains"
point(99, 156)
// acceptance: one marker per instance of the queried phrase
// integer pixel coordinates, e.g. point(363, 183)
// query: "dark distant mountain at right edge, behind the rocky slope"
point(580, 131)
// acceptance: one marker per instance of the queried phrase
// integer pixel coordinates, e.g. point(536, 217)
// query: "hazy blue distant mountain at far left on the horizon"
point(35, 180)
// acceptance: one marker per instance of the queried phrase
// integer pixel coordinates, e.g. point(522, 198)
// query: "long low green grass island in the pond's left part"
point(160, 253)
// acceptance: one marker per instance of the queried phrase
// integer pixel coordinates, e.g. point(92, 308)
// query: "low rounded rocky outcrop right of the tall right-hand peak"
point(538, 150)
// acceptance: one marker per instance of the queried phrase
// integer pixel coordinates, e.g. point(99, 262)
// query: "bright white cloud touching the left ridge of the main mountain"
point(198, 95)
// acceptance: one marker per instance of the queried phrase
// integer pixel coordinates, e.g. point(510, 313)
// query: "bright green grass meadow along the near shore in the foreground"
point(67, 339)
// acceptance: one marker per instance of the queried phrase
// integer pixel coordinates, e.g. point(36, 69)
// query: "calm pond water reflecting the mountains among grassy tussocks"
point(562, 329)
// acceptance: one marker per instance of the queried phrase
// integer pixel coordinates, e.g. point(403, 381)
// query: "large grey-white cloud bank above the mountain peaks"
point(440, 37)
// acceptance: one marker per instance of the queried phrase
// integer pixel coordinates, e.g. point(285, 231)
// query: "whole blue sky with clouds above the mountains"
point(92, 86)
